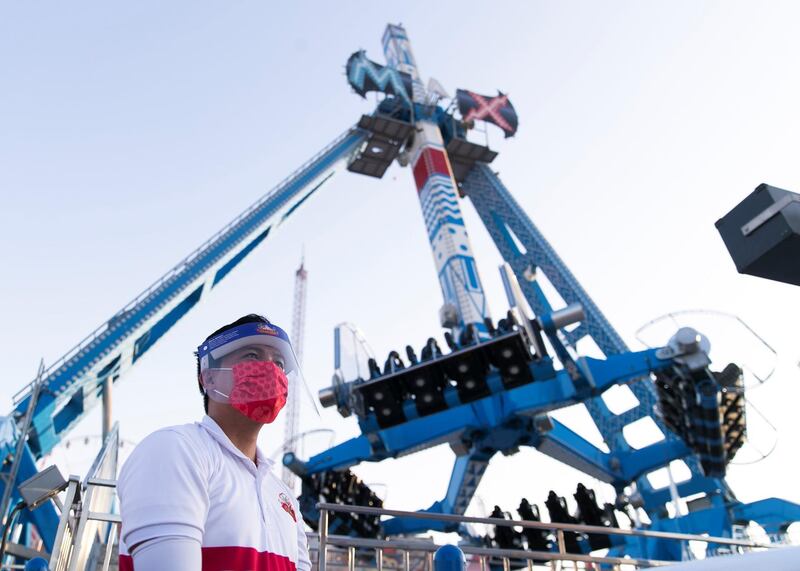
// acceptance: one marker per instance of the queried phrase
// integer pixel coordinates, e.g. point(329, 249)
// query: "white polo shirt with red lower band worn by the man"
point(191, 481)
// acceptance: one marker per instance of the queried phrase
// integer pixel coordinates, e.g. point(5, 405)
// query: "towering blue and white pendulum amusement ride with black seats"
point(490, 390)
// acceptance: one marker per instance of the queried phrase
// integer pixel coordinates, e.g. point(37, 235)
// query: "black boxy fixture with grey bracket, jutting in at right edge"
point(762, 234)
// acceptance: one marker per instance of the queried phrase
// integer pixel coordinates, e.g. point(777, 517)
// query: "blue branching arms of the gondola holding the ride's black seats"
point(503, 421)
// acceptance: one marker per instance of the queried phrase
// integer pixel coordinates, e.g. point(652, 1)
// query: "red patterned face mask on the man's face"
point(259, 390)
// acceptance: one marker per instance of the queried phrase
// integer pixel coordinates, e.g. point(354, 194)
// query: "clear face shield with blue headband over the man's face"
point(264, 372)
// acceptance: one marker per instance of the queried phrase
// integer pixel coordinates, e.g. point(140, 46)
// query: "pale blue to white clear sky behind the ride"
point(131, 132)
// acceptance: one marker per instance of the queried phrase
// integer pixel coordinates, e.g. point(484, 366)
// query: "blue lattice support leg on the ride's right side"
point(527, 251)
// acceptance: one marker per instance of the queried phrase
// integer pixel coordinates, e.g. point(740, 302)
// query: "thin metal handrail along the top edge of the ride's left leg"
point(20, 395)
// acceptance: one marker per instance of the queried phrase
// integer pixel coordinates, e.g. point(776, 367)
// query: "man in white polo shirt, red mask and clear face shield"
point(202, 496)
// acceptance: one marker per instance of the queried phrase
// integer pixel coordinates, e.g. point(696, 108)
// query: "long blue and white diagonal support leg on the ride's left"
point(73, 384)
